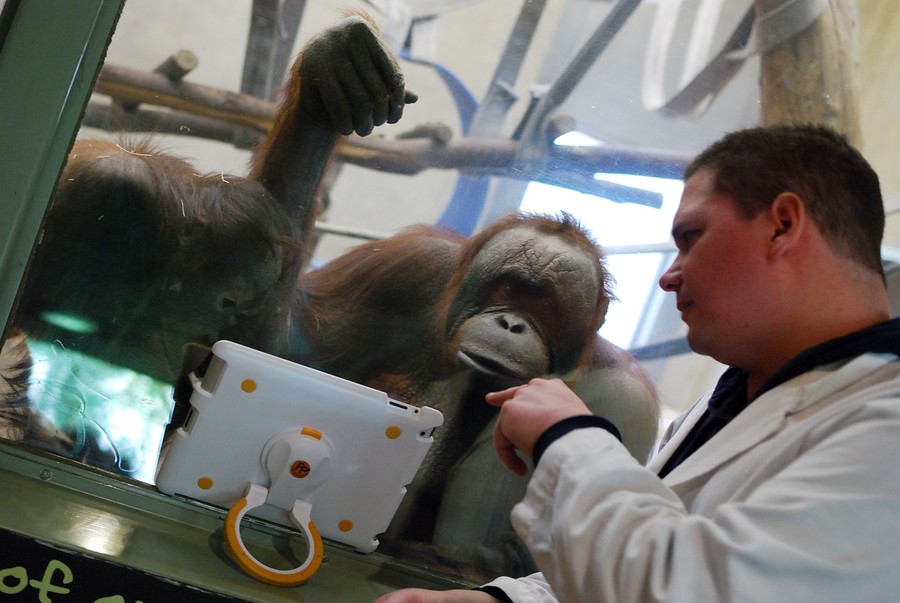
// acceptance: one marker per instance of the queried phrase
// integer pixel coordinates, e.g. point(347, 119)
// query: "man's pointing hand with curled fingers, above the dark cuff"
point(526, 411)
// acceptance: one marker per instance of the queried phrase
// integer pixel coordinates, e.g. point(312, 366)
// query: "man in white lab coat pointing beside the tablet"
point(784, 484)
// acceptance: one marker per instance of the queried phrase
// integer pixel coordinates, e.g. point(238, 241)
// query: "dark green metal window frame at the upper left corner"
point(50, 54)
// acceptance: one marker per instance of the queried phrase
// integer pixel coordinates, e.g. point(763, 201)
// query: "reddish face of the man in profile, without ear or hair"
point(719, 274)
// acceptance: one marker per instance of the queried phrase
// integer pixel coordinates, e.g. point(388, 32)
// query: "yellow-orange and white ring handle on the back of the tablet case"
point(300, 515)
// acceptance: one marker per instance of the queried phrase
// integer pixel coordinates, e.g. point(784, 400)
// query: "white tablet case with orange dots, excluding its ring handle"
point(363, 447)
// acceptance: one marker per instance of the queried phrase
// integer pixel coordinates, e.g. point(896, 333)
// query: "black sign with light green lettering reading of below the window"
point(33, 570)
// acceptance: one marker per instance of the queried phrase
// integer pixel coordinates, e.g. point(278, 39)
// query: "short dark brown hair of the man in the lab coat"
point(838, 186)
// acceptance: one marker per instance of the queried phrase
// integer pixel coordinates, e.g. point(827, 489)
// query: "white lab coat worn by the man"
point(796, 499)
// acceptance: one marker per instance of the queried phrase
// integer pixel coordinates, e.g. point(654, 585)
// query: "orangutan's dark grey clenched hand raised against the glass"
point(351, 78)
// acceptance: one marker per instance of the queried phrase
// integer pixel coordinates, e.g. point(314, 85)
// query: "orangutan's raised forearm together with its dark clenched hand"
point(345, 80)
